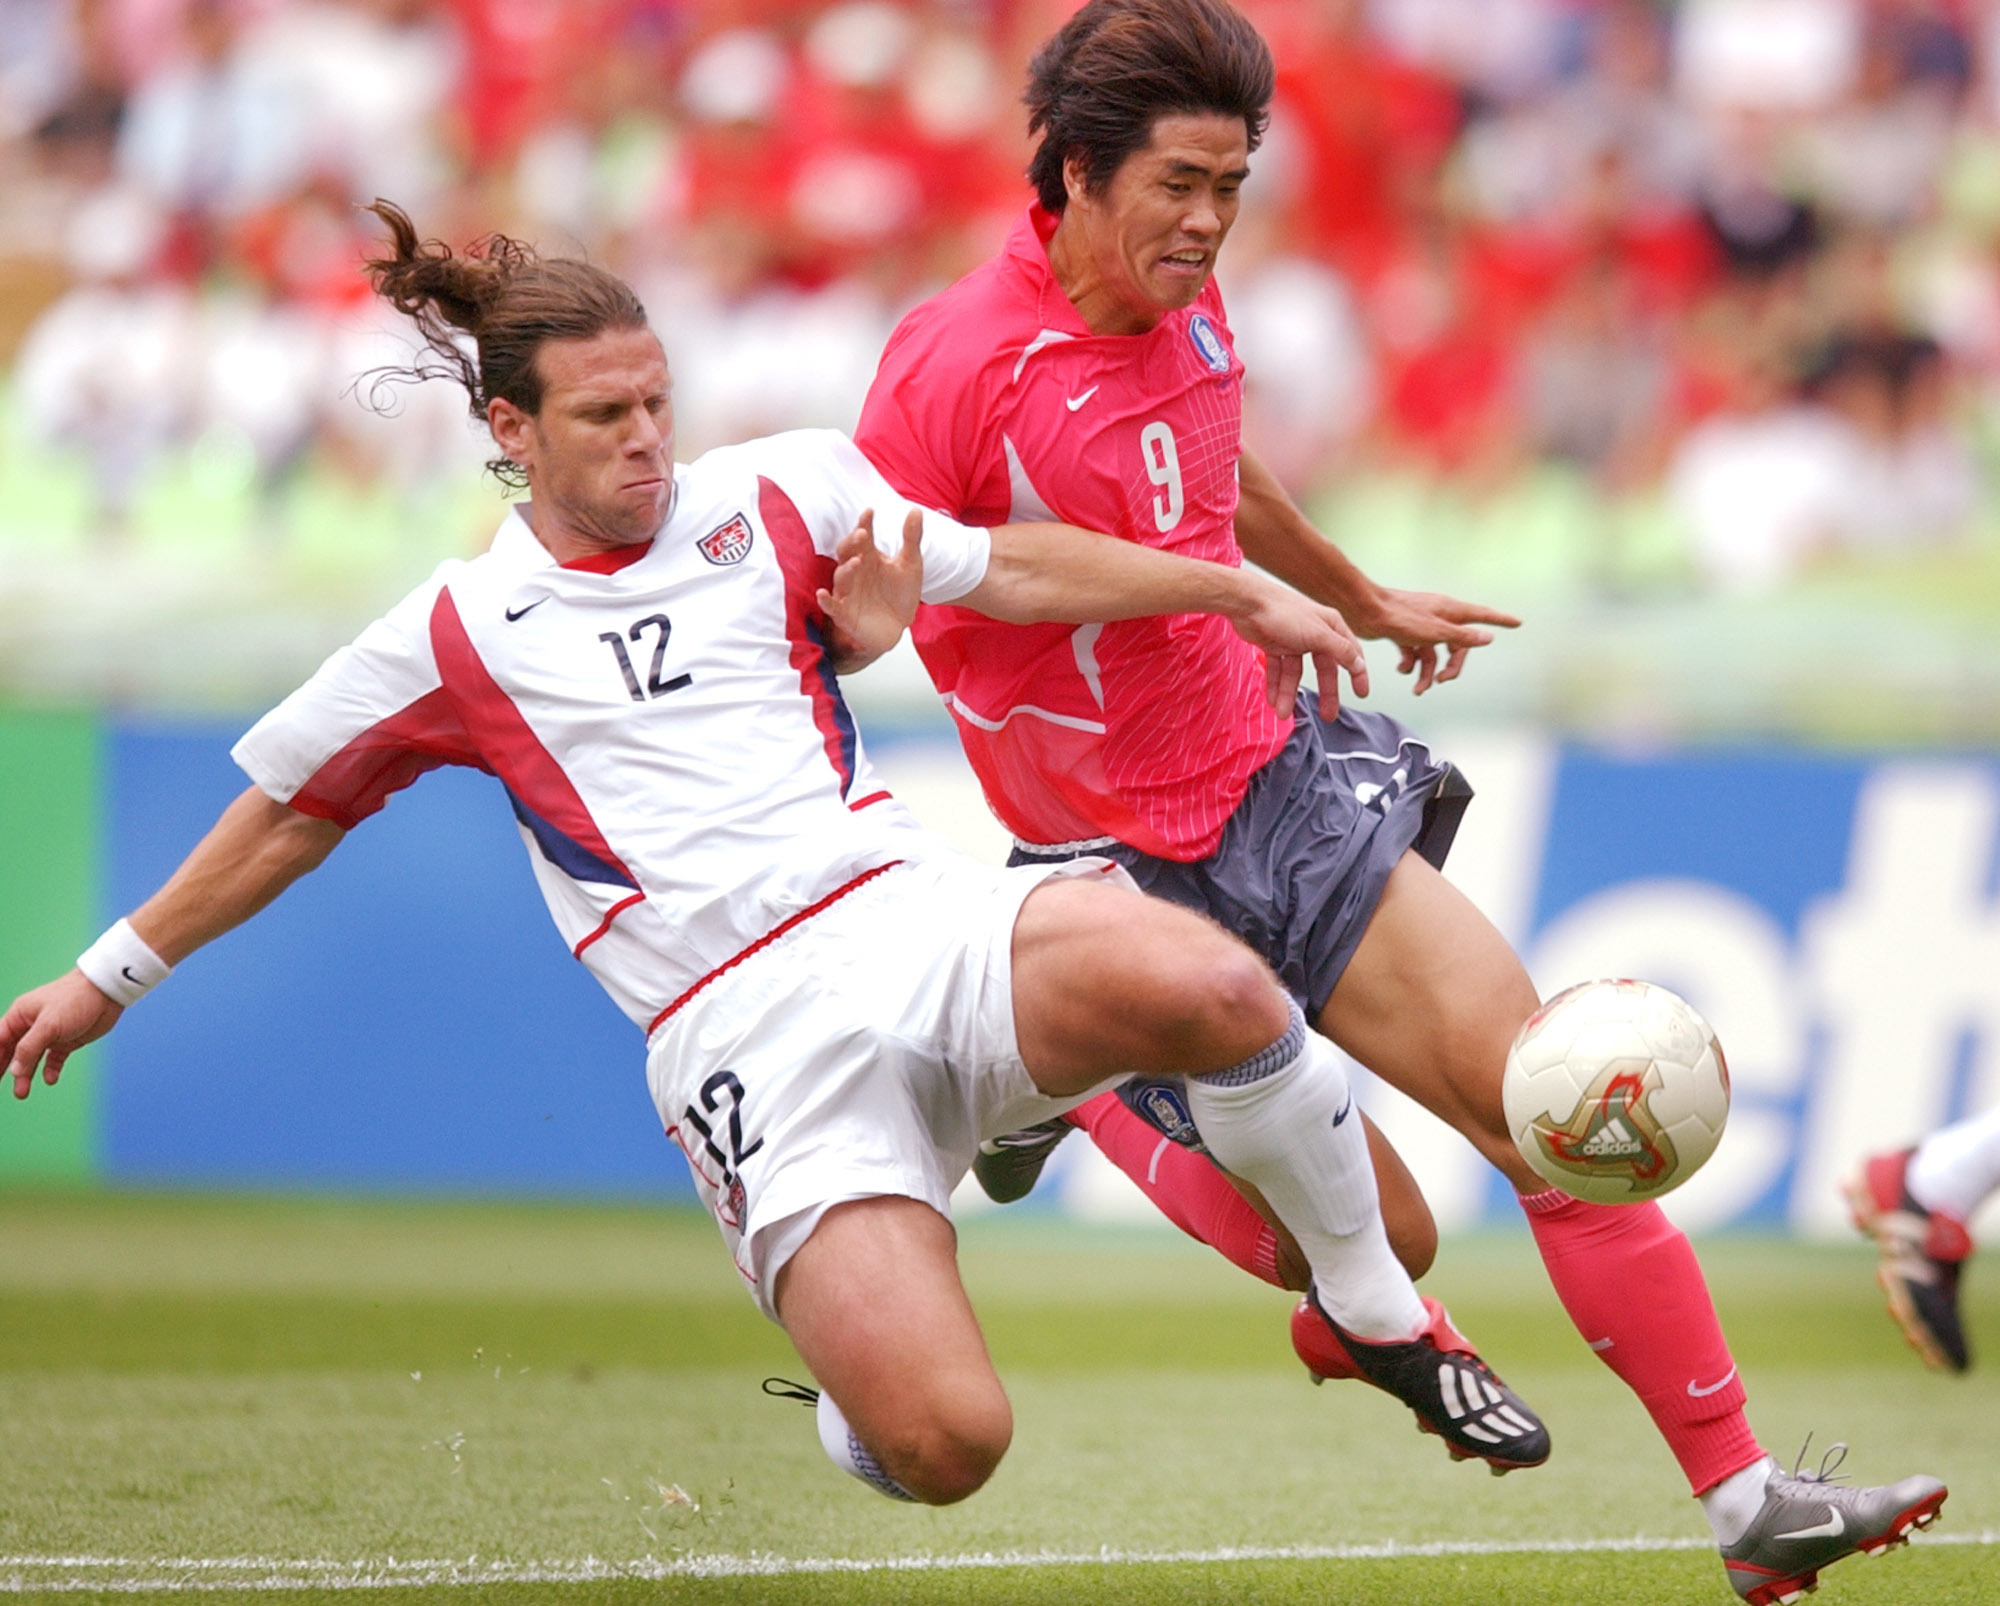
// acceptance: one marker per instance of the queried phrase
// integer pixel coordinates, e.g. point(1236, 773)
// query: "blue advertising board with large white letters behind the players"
point(407, 1019)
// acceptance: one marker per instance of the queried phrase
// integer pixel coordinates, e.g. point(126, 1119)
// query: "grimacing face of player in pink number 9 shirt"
point(1155, 231)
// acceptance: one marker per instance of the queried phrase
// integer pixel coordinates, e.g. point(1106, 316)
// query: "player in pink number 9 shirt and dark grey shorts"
point(1087, 375)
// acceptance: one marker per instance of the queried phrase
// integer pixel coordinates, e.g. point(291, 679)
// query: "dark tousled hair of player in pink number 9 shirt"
point(1097, 89)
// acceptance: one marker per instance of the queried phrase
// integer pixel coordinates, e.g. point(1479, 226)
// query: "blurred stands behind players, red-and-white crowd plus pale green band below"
point(1629, 315)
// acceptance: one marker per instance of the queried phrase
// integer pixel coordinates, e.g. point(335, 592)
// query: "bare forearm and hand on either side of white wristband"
point(251, 855)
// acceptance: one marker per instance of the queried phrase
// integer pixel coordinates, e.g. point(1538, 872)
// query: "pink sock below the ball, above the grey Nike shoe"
point(1631, 1283)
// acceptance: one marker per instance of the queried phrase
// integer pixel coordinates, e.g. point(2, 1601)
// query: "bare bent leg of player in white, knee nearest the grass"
point(877, 1311)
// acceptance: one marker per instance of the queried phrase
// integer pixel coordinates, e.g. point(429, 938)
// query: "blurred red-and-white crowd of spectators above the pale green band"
point(1741, 255)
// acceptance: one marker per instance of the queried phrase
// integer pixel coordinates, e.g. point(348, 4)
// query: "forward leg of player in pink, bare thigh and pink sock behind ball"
point(1431, 1003)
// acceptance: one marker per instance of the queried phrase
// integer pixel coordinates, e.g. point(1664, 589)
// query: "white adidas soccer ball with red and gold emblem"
point(1617, 1091)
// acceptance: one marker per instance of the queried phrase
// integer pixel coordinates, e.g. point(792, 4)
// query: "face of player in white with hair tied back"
point(601, 451)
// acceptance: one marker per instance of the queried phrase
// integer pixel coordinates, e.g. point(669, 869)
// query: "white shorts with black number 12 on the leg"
point(869, 1051)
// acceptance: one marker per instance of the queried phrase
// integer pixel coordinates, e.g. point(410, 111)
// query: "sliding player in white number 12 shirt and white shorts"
point(837, 1007)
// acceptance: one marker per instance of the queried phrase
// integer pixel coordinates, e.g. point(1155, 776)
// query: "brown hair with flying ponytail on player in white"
point(507, 299)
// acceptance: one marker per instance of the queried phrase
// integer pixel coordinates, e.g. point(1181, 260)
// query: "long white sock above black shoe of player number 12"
point(1285, 1121)
